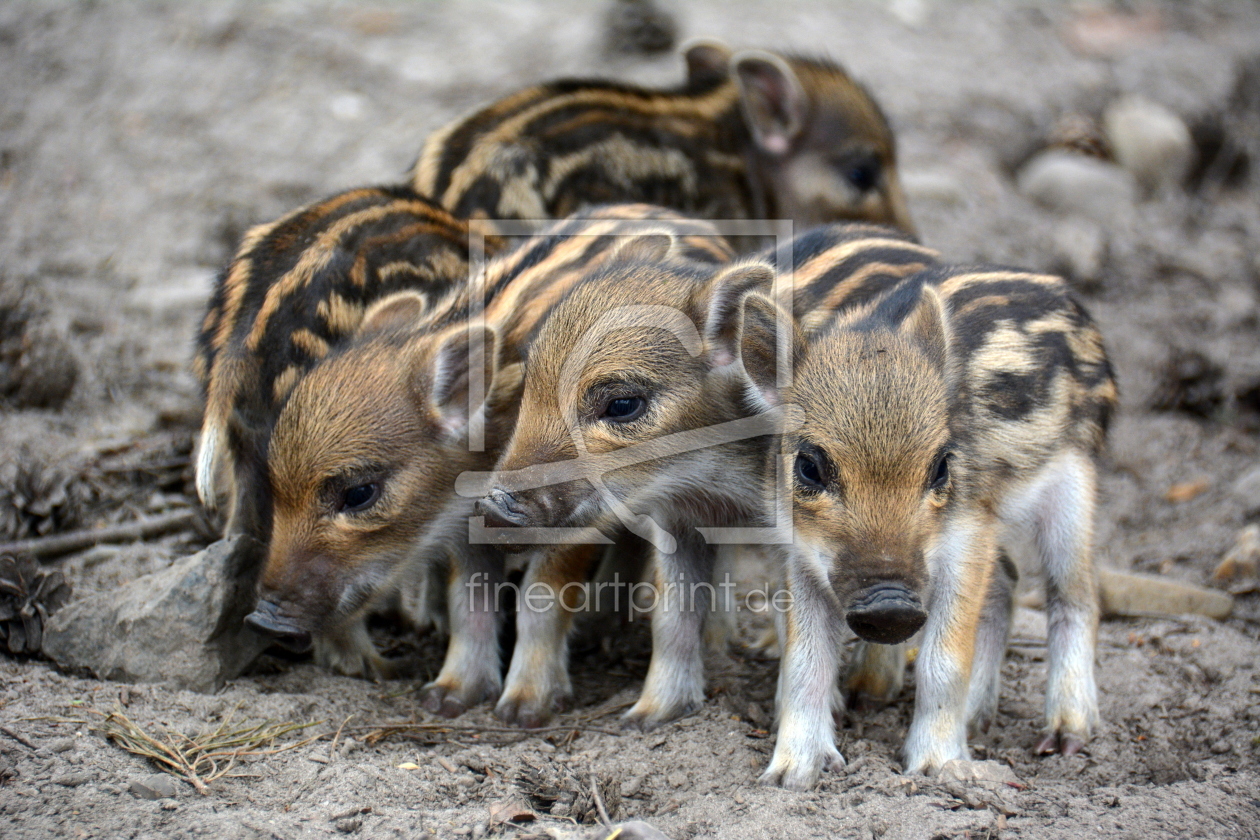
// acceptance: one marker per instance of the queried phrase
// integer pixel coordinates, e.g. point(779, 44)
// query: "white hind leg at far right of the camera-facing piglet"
point(1064, 531)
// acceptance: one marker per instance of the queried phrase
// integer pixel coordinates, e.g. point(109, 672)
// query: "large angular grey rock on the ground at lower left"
point(181, 627)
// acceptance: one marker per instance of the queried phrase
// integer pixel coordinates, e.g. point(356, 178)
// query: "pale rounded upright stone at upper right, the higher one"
point(1151, 142)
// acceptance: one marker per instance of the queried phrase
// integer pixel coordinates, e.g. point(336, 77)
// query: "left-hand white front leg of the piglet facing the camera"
point(810, 633)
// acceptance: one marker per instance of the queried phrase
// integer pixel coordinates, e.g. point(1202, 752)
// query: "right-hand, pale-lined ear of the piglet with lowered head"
point(461, 375)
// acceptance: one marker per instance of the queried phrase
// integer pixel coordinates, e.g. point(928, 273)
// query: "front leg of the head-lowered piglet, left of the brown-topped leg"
point(471, 673)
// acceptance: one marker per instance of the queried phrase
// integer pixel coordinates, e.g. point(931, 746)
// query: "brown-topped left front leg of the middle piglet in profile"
point(553, 591)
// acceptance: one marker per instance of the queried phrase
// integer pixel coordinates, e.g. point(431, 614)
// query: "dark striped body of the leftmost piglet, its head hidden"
point(295, 290)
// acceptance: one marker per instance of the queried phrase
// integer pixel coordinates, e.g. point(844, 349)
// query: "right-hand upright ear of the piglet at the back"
point(773, 99)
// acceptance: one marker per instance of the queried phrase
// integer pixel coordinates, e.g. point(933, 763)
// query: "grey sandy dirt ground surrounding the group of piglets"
point(139, 139)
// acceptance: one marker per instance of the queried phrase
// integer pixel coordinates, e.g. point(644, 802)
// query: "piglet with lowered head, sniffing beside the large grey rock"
point(386, 410)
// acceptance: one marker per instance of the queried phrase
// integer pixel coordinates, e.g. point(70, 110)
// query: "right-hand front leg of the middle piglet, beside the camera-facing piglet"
point(676, 676)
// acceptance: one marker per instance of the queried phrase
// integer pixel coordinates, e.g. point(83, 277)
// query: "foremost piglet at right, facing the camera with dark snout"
point(959, 415)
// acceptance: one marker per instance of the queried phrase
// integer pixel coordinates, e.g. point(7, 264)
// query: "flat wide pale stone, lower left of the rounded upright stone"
point(1075, 184)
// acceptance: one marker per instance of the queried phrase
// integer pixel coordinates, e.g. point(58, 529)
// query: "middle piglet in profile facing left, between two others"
point(689, 390)
